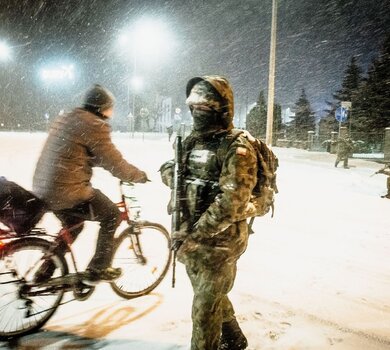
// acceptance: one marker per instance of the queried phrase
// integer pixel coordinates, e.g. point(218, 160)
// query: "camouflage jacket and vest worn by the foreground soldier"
point(217, 192)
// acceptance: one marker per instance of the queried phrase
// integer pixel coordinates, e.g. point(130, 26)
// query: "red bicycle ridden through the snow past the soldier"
point(142, 250)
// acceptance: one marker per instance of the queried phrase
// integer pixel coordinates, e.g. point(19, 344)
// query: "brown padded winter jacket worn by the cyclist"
point(77, 142)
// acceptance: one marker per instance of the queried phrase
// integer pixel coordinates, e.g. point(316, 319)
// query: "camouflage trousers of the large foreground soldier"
point(211, 305)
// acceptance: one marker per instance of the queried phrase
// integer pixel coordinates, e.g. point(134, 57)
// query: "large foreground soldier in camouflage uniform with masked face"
point(213, 231)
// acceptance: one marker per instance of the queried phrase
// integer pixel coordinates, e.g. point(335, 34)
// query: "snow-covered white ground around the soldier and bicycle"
point(314, 277)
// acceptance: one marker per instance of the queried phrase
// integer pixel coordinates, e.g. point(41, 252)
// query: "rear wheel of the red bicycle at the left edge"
point(26, 306)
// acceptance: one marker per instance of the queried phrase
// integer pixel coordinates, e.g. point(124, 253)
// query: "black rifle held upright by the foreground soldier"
point(176, 200)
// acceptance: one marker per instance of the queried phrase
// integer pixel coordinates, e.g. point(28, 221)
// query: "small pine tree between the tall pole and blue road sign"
point(304, 119)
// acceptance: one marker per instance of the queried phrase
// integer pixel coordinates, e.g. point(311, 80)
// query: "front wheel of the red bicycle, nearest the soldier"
point(143, 253)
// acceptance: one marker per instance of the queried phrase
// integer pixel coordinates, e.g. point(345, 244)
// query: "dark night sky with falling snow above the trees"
point(315, 42)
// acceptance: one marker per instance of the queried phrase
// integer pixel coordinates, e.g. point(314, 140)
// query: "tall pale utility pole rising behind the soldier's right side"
point(271, 77)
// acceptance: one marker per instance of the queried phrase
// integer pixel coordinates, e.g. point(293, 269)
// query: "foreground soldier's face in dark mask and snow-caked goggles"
point(206, 107)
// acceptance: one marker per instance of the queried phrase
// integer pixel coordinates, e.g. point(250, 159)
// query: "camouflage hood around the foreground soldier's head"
point(222, 86)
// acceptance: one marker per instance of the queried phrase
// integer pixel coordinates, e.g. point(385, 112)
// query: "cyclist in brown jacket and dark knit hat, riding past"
point(77, 142)
